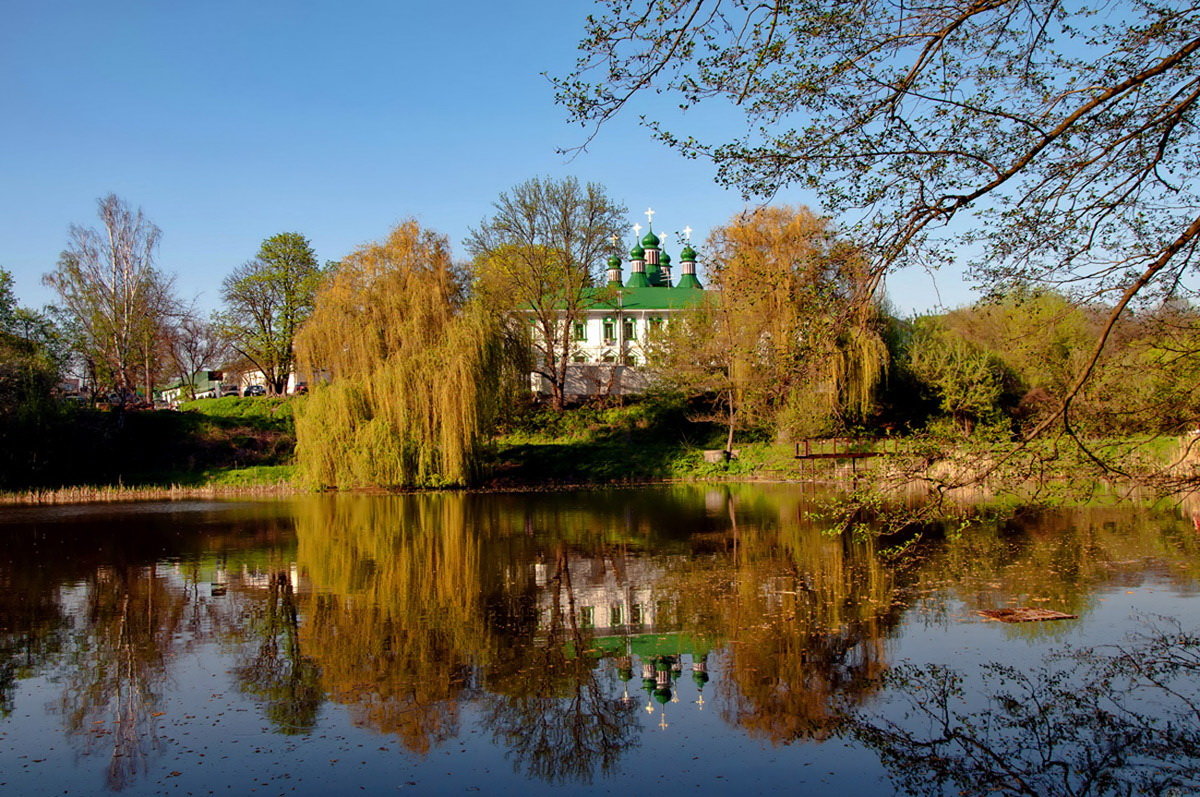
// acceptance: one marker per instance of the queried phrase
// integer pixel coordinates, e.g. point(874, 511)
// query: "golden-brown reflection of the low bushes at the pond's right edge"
point(1058, 559)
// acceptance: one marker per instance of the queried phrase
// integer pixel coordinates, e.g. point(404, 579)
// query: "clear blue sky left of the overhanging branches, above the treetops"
point(229, 123)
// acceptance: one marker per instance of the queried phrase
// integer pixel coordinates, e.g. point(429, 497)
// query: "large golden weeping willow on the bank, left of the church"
point(407, 374)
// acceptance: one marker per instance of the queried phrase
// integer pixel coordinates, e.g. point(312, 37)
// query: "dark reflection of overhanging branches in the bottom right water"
point(1096, 722)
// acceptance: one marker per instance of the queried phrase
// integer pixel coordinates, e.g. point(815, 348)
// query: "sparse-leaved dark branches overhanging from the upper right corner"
point(1065, 131)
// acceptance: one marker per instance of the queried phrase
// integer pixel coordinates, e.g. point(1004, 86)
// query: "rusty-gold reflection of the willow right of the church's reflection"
point(806, 616)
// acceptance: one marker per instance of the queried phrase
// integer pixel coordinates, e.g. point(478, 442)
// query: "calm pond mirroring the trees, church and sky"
point(701, 638)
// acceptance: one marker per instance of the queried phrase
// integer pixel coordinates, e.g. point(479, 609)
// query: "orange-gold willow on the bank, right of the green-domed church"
point(790, 345)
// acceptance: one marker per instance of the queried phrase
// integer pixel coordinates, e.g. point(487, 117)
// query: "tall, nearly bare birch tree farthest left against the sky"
point(117, 302)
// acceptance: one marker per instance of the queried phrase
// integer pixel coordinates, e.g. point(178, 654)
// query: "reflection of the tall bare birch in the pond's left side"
point(119, 660)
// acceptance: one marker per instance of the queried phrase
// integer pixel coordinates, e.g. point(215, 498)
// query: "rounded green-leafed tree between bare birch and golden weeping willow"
point(267, 302)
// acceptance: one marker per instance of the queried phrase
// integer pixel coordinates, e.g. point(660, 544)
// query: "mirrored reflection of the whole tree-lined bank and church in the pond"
point(563, 627)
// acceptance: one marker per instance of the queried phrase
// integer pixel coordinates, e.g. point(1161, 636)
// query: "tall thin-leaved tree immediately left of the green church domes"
point(539, 257)
